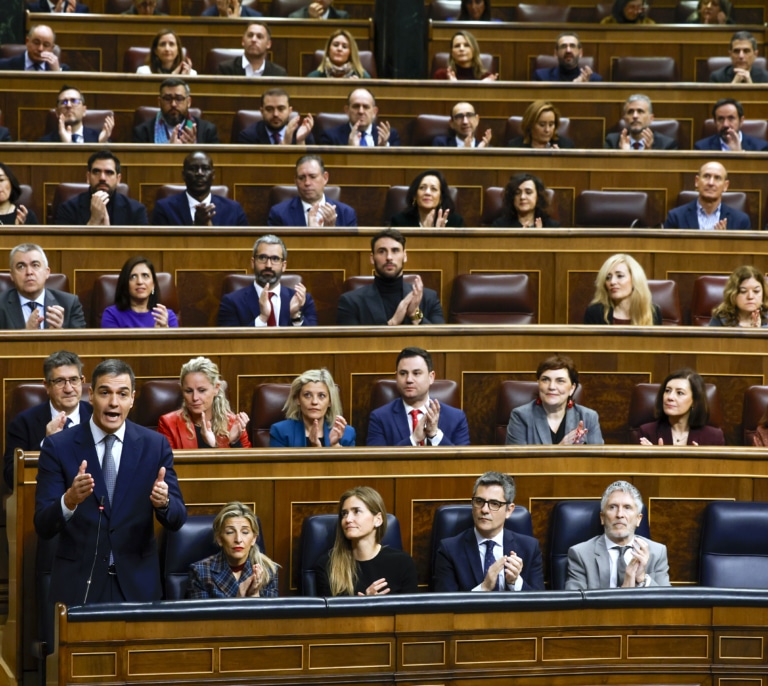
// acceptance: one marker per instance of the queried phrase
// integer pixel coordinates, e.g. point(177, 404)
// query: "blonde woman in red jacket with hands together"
point(205, 419)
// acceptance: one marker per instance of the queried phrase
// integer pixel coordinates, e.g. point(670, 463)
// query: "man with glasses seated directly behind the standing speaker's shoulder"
point(63, 375)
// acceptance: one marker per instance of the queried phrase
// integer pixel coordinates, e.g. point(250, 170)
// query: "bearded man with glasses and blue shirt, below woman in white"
point(173, 123)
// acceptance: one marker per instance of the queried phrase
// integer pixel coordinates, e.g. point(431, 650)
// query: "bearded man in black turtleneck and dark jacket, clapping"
point(389, 300)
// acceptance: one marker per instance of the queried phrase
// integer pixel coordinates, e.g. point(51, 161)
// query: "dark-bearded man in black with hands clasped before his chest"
point(101, 204)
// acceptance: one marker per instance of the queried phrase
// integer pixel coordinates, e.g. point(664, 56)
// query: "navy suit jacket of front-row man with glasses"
point(458, 566)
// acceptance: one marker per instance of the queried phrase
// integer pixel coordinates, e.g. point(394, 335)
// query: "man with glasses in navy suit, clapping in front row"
point(489, 557)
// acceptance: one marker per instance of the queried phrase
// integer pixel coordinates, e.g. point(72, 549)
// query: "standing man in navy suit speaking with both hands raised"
point(112, 470)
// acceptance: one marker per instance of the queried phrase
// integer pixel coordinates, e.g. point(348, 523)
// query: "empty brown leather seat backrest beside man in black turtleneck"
point(493, 299)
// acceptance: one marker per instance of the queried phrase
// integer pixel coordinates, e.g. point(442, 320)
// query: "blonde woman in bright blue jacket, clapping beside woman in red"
point(313, 415)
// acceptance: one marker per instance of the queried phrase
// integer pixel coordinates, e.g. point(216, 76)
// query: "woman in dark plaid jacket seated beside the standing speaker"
point(239, 569)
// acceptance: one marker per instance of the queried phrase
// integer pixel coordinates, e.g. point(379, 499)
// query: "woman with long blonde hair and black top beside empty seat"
point(622, 295)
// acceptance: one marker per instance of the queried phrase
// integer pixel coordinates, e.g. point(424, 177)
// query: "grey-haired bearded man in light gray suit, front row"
point(618, 558)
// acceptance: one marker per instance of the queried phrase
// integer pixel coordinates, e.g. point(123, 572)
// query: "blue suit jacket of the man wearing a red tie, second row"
point(389, 425)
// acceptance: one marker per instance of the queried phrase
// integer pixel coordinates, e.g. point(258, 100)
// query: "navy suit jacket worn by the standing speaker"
point(128, 527)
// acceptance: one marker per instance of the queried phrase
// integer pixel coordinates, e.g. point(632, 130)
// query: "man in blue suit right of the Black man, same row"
point(310, 207)
